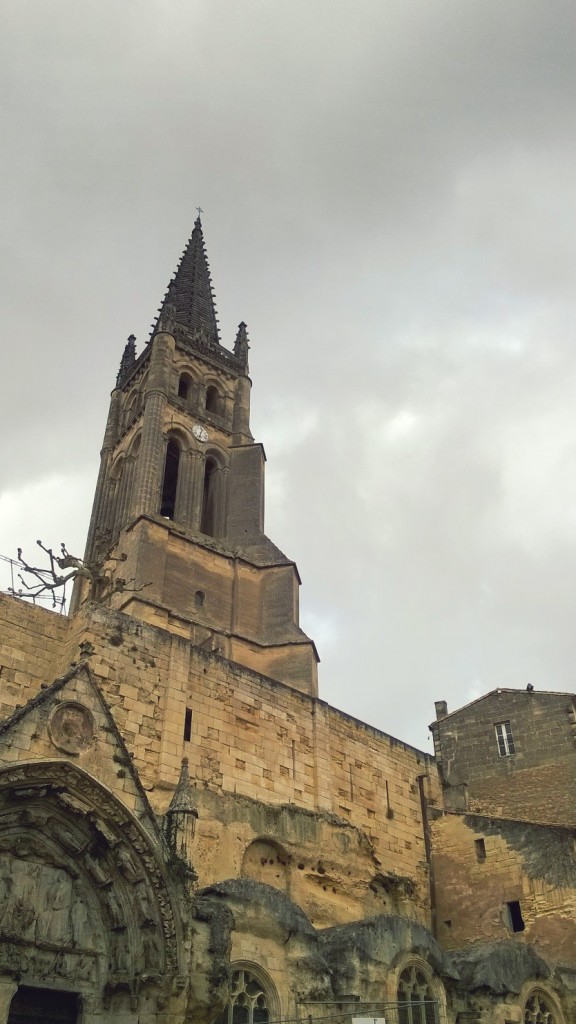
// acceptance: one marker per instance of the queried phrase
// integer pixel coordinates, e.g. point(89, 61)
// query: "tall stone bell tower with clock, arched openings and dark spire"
point(181, 490)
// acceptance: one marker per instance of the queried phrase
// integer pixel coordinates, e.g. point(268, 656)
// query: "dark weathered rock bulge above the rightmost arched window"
point(499, 967)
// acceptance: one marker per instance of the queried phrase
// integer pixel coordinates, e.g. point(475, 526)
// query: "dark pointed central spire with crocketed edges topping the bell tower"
point(190, 296)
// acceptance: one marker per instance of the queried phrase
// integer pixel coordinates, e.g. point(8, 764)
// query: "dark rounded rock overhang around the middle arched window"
point(362, 953)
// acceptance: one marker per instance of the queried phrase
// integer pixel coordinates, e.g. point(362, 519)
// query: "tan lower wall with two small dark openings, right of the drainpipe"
point(482, 866)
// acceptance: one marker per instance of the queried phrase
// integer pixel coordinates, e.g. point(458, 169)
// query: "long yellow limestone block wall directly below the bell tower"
point(345, 801)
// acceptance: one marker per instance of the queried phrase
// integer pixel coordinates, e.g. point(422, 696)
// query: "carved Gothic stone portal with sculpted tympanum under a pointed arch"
point(85, 913)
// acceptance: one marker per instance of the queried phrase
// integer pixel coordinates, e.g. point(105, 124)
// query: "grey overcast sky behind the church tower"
point(390, 203)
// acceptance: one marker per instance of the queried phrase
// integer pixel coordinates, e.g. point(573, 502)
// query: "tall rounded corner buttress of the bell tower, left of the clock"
point(151, 455)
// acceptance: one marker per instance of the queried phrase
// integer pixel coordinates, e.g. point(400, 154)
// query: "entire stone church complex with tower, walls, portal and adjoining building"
point(188, 832)
